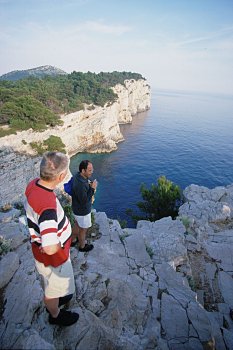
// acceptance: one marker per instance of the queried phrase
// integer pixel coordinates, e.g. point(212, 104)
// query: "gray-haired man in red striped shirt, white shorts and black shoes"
point(50, 233)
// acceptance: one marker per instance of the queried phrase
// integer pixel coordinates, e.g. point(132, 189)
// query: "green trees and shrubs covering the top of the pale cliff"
point(37, 103)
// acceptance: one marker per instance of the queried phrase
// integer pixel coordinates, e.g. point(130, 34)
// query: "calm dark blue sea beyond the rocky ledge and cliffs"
point(188, 137)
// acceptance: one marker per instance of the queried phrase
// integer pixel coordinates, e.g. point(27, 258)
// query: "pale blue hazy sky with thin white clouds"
point(175, 44)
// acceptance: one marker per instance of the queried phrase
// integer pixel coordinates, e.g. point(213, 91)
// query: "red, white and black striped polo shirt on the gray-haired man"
point(47, 223)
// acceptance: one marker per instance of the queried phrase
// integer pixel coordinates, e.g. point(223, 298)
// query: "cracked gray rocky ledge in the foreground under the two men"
point(166, 285)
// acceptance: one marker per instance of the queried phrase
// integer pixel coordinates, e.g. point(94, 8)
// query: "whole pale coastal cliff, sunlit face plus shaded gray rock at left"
point(92, 130)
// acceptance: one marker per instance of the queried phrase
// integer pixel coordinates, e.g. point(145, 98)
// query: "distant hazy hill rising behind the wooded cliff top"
point(34, 72)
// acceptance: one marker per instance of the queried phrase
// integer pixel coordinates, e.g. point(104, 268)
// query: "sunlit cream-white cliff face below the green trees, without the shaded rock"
point(91, 130)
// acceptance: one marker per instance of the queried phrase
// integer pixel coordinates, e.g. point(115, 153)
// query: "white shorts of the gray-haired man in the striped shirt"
point(57, 281)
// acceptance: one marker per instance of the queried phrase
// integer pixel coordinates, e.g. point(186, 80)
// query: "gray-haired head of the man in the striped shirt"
point(52, 164)
